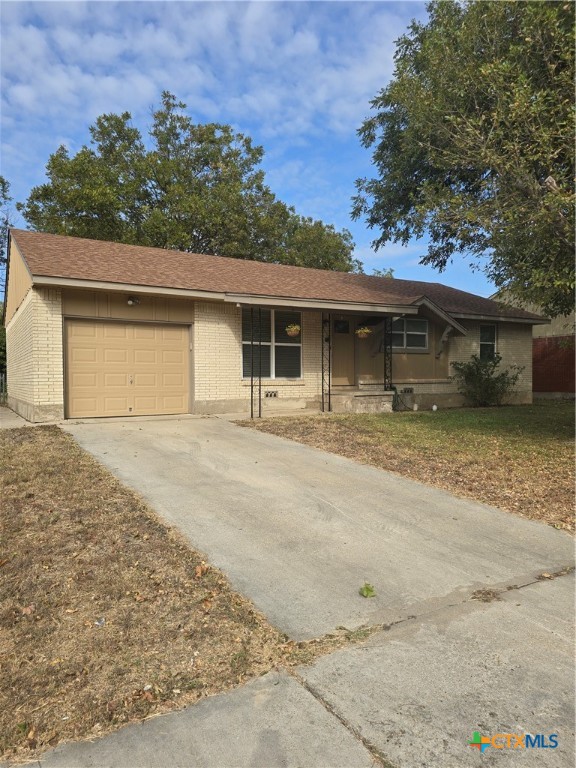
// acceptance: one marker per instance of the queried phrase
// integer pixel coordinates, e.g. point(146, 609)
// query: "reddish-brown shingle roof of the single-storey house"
point(57, 256)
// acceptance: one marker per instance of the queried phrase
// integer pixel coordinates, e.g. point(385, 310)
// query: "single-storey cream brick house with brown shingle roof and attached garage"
point(103, 329)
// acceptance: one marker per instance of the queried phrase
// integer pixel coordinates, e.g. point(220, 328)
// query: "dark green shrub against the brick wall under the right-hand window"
point(481, 385)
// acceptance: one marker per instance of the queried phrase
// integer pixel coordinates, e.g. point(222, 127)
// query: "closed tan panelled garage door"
point(126, 369)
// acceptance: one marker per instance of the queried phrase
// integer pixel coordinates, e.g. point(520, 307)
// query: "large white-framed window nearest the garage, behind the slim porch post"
point(278, 356)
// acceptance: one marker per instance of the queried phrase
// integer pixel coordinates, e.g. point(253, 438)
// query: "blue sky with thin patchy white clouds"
point(297, 77)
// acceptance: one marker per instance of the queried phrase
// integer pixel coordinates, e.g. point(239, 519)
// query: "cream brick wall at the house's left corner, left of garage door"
point(34, 354)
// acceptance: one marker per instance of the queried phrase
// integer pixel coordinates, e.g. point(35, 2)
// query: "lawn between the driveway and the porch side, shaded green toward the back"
point(520, 459)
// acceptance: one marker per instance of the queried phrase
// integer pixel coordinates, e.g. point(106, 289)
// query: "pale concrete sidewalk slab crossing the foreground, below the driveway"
point(412, 696)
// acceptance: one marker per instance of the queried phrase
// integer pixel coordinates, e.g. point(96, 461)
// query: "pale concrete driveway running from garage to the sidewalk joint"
point(298, 531)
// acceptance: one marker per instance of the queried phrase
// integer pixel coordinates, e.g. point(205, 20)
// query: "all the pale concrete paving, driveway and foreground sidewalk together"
point(299, 531)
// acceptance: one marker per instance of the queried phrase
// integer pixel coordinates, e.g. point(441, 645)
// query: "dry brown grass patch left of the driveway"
point(106, 615)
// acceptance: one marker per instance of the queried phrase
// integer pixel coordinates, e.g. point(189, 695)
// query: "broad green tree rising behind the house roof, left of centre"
point(197, 188)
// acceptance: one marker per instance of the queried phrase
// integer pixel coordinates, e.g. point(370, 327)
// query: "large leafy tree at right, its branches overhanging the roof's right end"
point(473, 144)
